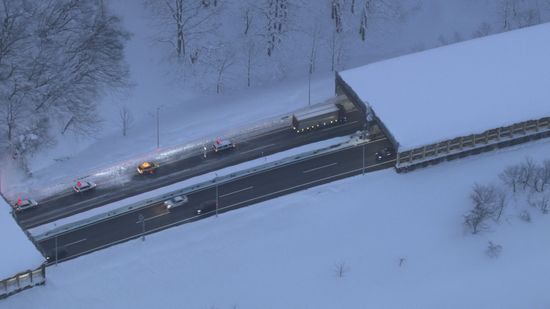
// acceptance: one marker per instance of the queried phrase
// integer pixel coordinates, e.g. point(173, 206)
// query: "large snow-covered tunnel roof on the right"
point(459, 89)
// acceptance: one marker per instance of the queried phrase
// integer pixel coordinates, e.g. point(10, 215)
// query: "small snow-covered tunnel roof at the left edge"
point(18, 252)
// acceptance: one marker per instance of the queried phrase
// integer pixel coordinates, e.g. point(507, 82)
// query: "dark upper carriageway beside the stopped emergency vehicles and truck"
point(70, 203)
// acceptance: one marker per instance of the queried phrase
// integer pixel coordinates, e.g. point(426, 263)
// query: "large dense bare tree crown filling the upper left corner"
point(56, 58)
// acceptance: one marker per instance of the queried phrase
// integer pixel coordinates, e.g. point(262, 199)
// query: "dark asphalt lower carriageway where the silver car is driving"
point(236, 193)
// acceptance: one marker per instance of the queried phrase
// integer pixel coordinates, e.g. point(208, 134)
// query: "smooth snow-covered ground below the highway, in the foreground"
point(284, 253)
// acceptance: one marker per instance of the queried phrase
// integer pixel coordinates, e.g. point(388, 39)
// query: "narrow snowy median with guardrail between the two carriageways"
point(355, 140)
